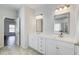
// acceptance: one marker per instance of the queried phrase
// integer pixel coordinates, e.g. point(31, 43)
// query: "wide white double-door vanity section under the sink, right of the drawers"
point(54, 47)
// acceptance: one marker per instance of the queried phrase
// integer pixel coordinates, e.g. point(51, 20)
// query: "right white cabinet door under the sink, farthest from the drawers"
point(65, 48)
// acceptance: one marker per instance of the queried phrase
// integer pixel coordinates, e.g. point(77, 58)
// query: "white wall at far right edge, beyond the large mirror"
point(76, 22)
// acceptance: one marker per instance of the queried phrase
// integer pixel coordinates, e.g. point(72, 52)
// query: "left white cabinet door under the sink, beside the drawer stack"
point(50, 47)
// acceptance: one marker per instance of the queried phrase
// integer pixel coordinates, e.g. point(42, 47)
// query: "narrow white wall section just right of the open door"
point(22, 18)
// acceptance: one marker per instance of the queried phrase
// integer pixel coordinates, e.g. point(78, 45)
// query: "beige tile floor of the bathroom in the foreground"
point(17, 51)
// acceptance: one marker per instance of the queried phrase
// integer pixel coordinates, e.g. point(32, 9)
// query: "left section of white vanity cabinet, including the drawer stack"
point(37, 43)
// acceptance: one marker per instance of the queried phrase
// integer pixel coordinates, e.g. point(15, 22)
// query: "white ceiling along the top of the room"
point(33, 6)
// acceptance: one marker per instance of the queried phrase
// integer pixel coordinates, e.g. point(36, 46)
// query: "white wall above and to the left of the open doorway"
point(5, 12)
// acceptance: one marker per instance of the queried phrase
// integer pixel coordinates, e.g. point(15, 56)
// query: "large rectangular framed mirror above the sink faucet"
point(62, 23)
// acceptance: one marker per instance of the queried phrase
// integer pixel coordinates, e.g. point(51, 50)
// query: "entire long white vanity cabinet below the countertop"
point(51, 46)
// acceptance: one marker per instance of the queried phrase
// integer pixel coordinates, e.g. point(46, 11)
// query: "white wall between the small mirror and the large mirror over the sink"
point(48, 20)
